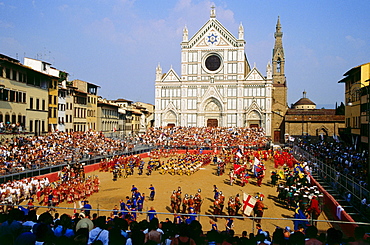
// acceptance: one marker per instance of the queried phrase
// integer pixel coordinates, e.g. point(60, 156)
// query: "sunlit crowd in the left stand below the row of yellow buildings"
point(32, 152)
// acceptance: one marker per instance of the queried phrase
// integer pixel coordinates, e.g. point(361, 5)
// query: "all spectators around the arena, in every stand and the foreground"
point(26, 153)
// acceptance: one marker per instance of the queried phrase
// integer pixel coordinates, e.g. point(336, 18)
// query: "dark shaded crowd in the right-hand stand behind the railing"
point(344, 159)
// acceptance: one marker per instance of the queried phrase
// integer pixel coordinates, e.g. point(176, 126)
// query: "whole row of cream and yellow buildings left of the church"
point(36, 98)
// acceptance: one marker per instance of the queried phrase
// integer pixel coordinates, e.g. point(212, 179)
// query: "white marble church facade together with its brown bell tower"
point(218, 86)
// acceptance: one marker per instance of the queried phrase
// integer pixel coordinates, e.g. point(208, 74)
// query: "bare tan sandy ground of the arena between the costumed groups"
point(112, 191)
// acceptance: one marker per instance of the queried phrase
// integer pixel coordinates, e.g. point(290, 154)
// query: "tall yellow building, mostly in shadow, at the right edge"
point(357, 111)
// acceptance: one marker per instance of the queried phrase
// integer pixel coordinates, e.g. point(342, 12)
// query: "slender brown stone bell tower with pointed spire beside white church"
point(279, 95)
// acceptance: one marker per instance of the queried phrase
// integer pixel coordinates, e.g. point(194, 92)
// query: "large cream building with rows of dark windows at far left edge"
point(24, 96)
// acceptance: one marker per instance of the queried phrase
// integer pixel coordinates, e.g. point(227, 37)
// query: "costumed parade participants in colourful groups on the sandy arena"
point(244, 165)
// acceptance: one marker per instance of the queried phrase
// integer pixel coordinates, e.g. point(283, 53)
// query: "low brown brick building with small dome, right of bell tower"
point(303, 119)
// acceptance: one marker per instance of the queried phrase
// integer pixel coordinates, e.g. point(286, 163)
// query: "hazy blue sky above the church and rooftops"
point(117, 44)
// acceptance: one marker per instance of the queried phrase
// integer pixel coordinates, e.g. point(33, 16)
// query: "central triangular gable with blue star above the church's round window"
point(212, 34)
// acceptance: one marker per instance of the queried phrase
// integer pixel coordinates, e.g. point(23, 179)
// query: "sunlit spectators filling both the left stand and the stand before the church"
point(24, 153)
